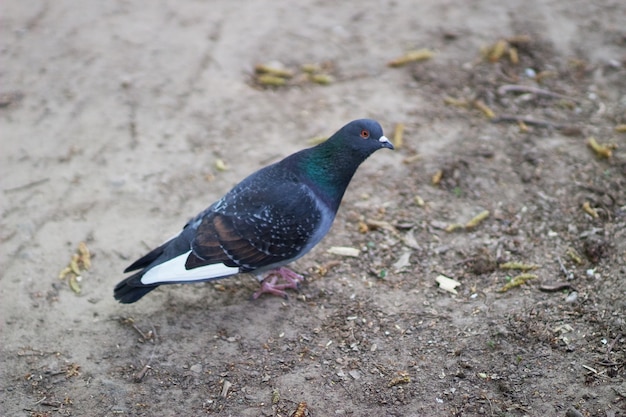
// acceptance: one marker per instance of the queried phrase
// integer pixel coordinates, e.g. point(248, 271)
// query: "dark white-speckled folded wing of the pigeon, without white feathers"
point(256, 226)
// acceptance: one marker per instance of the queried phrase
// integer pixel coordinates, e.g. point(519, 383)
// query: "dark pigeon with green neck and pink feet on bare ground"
point(271, 218)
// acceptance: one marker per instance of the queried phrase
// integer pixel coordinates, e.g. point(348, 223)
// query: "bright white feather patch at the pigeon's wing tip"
point(174, 271)
